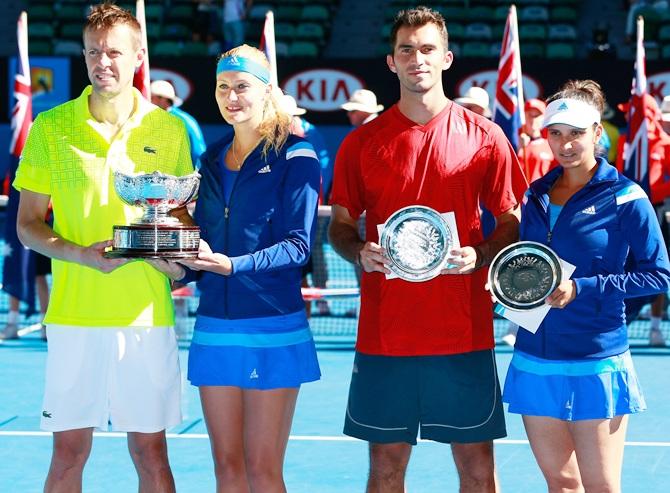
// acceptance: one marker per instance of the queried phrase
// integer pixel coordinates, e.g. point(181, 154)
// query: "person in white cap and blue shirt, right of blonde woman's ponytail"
point(316, 265)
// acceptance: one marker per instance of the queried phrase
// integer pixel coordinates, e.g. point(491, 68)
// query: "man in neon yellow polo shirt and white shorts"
point(112, 349)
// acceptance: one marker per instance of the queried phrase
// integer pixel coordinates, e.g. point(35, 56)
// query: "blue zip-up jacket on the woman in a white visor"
point(595, 231)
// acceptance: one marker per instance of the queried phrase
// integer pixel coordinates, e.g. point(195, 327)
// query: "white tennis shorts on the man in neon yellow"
point(127, 376)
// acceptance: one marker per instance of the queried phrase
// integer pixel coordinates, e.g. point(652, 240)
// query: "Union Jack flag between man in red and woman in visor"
point(508, 104)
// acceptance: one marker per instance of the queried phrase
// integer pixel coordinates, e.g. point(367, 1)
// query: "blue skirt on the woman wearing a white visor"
point(573, 390)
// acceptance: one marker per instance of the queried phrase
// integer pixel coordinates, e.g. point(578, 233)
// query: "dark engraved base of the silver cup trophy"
point(155, 241)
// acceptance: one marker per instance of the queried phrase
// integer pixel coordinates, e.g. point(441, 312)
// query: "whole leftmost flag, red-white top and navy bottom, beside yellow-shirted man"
point(18, 272)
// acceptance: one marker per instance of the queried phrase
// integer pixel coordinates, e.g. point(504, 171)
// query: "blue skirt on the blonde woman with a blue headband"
point(253, 353)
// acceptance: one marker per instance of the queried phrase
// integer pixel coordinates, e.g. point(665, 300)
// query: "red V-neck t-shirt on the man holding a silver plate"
point(452, 163)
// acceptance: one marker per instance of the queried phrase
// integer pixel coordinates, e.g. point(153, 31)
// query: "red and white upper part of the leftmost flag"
point(22, 113)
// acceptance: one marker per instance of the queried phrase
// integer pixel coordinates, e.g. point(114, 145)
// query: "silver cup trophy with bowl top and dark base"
point(156, 234)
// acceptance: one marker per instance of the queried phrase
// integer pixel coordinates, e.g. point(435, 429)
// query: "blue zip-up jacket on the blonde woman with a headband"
point(266, 229)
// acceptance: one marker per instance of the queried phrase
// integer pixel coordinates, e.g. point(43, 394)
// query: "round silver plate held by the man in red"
point(417, 240)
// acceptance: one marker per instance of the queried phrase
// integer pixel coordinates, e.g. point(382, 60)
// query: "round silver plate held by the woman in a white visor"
point(523, 274)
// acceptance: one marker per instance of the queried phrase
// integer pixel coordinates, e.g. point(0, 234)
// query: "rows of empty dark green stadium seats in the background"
point(475, 27)
